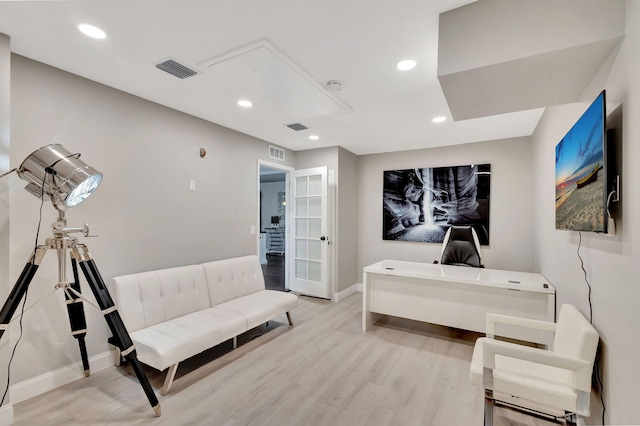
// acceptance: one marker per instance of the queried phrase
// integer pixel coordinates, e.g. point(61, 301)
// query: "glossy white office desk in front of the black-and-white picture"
point(455, 296)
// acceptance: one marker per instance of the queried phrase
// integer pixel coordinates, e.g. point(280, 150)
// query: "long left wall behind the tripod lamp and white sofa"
point(143, 212)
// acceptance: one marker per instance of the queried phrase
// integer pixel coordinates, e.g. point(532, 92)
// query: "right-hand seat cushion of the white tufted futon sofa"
point(261, 306)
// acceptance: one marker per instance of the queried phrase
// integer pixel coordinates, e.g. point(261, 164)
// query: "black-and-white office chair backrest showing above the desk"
point(461, 247)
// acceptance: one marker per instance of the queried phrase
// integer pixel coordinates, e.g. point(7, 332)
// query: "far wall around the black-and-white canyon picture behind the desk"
point(510, 245)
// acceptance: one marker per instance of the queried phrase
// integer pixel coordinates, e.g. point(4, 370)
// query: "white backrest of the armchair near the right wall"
point(575, 336)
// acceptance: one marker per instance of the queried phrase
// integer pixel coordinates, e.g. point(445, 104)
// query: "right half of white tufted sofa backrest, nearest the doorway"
point(231, 278)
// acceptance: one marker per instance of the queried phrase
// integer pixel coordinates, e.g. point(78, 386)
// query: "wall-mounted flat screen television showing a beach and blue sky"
point(581, 172)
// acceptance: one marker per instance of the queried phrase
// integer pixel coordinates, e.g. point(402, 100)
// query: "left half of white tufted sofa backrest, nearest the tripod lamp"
point(149, 298)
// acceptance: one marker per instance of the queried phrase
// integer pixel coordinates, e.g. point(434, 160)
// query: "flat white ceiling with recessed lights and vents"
point(310, 42)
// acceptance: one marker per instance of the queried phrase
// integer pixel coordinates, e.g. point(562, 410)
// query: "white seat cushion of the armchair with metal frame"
point(544, 384)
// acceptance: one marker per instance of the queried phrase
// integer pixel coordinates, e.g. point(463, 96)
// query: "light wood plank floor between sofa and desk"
point(322, 371)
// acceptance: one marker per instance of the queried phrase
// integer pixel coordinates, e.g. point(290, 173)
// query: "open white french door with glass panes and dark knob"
point(309, 269)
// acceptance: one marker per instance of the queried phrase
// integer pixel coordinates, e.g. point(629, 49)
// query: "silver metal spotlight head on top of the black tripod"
point(54, 173)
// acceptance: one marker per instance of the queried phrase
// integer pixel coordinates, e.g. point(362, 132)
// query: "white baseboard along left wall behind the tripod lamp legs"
point(54, 379)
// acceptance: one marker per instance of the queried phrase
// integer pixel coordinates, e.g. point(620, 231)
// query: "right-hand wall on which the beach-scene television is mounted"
point(612, 264)
